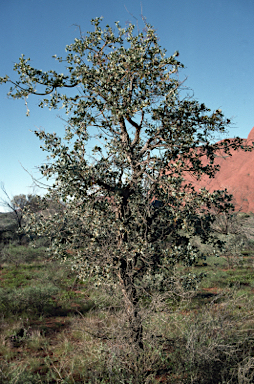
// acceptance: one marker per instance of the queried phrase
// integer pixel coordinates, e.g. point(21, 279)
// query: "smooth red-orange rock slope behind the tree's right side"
point(236, 174)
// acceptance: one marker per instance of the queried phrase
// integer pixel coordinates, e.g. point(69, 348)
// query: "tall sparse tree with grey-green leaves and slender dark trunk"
point(126, 94)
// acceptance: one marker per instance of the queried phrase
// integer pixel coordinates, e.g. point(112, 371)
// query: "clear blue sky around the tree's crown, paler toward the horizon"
point(214, 38)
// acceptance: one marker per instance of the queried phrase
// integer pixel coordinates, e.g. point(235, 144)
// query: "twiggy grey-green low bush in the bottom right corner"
point(218, 342)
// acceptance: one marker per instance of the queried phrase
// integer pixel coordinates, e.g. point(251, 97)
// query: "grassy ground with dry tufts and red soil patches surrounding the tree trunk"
point(200, 337)
